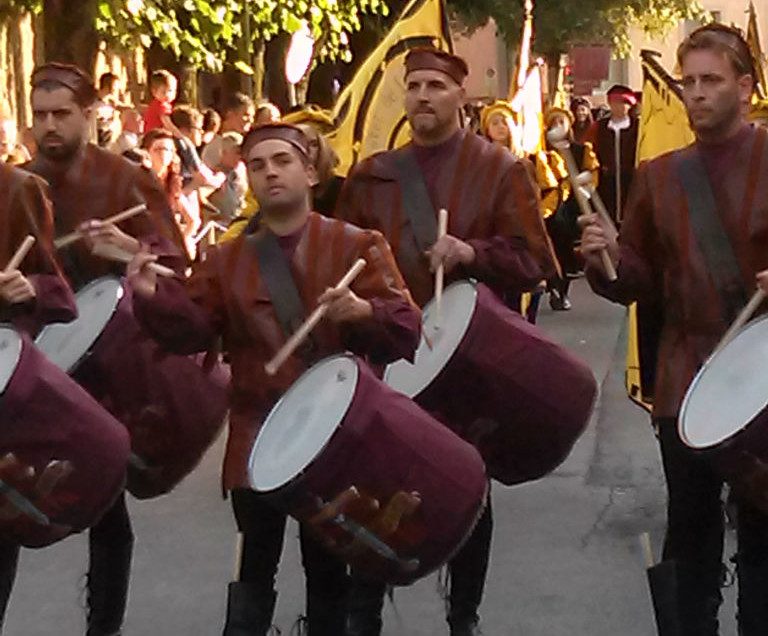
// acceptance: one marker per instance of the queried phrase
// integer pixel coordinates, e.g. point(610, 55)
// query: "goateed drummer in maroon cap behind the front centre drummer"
point(495, 235)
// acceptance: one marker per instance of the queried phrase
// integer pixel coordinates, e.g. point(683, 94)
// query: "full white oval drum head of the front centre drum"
point(302, 422)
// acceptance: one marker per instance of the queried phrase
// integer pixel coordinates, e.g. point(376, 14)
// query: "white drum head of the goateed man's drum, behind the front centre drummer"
point(459, 301)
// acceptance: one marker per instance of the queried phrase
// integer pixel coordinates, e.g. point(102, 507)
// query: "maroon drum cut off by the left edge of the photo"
point(45, 419)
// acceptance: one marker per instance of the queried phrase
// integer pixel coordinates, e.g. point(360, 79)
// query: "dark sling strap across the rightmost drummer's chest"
point(711, 236)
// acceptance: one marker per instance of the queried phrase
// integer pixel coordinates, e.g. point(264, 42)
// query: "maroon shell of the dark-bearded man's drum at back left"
point(173, 406)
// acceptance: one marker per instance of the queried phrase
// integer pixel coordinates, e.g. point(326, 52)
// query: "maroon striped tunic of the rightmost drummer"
point(661, 260)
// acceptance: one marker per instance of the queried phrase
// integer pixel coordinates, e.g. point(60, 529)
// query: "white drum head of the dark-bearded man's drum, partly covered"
point(66, 344)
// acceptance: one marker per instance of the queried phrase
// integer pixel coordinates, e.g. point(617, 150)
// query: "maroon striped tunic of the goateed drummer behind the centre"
point(492, 203)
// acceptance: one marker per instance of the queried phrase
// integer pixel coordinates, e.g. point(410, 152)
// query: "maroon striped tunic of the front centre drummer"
point(227, 296)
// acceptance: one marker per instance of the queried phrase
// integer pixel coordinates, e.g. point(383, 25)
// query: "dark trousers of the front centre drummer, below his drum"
point(263, 529)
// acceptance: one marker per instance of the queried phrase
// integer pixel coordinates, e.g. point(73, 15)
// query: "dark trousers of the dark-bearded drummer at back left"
point(110, 549)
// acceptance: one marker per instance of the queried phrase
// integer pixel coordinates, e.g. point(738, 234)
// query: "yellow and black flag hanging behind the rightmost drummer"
point(663, 127)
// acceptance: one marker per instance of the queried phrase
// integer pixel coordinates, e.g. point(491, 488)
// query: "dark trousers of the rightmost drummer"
point(694, 541)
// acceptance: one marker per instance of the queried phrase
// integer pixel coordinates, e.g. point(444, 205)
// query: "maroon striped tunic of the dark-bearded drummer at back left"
point(99, 184)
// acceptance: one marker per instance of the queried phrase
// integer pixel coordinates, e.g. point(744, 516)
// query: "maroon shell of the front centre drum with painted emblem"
point(386, 445)
